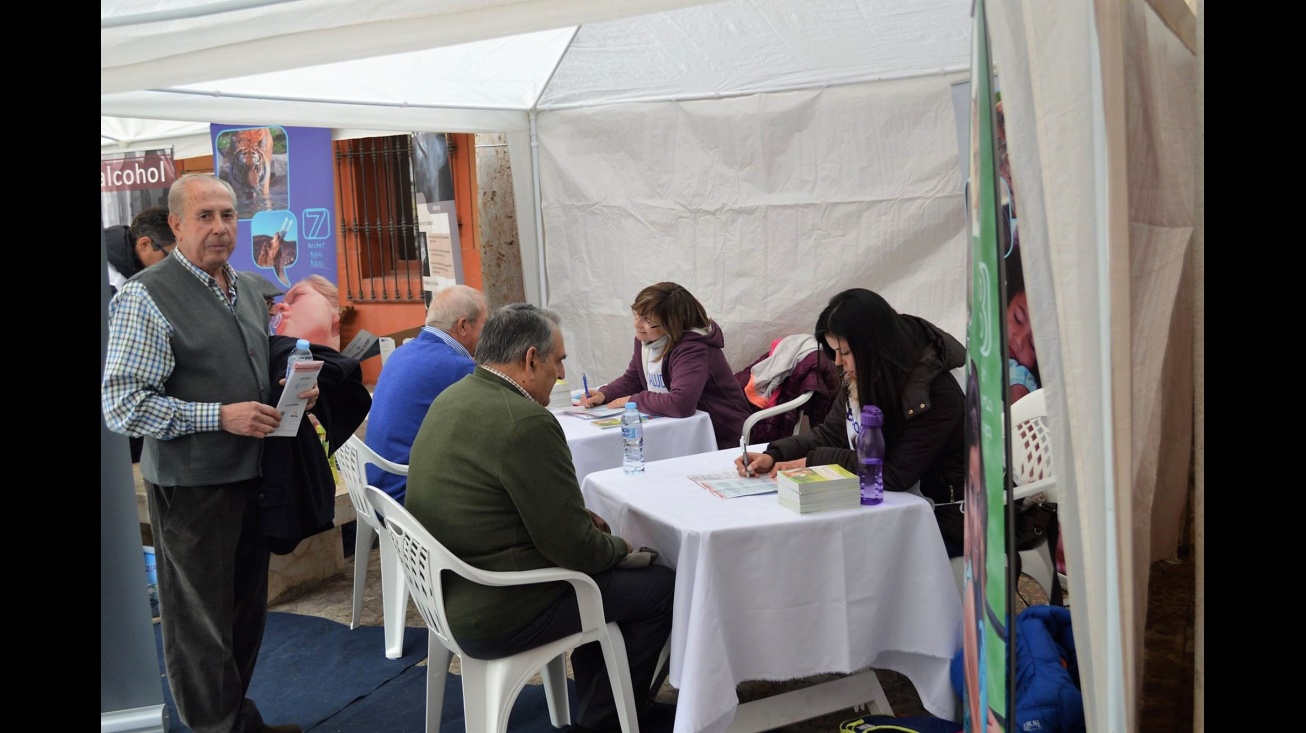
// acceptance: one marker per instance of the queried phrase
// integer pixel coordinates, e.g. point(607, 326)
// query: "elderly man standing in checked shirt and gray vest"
point(187, 369)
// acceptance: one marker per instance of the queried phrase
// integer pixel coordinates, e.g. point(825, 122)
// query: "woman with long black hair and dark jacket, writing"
point(902, 365)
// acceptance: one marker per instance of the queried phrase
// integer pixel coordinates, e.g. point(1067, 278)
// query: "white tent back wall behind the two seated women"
point(763, 207)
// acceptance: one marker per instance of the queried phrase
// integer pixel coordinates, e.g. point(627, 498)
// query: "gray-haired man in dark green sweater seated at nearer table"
point(493, 480)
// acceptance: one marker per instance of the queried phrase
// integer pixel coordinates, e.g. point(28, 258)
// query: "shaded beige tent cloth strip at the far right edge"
point(1163, 143)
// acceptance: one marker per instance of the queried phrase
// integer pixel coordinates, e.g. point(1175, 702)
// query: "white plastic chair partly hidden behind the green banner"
point(1034, 474)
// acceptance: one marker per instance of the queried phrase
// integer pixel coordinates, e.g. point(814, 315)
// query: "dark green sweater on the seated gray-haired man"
point(492, 478)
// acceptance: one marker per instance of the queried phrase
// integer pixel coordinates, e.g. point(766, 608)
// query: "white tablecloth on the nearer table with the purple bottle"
point(766, 594)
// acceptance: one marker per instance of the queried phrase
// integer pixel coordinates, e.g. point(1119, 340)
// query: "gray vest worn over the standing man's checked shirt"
point(220, 359)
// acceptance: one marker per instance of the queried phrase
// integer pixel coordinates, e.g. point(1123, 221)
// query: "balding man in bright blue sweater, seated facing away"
point(417, 373)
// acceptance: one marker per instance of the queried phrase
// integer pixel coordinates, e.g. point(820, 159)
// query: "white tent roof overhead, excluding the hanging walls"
point(492, 86)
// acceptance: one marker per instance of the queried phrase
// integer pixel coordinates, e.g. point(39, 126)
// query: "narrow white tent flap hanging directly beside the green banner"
point(1047, 59)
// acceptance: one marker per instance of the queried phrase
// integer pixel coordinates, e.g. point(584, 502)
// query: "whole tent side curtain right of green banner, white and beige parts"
point(1107, 220)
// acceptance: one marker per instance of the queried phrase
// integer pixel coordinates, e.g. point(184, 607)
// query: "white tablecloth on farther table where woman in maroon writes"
point(597, 449)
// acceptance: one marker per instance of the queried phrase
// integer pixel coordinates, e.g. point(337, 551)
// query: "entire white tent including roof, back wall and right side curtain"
point(767, 155)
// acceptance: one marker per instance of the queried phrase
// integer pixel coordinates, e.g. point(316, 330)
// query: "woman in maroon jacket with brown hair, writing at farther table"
point(678, 366)
